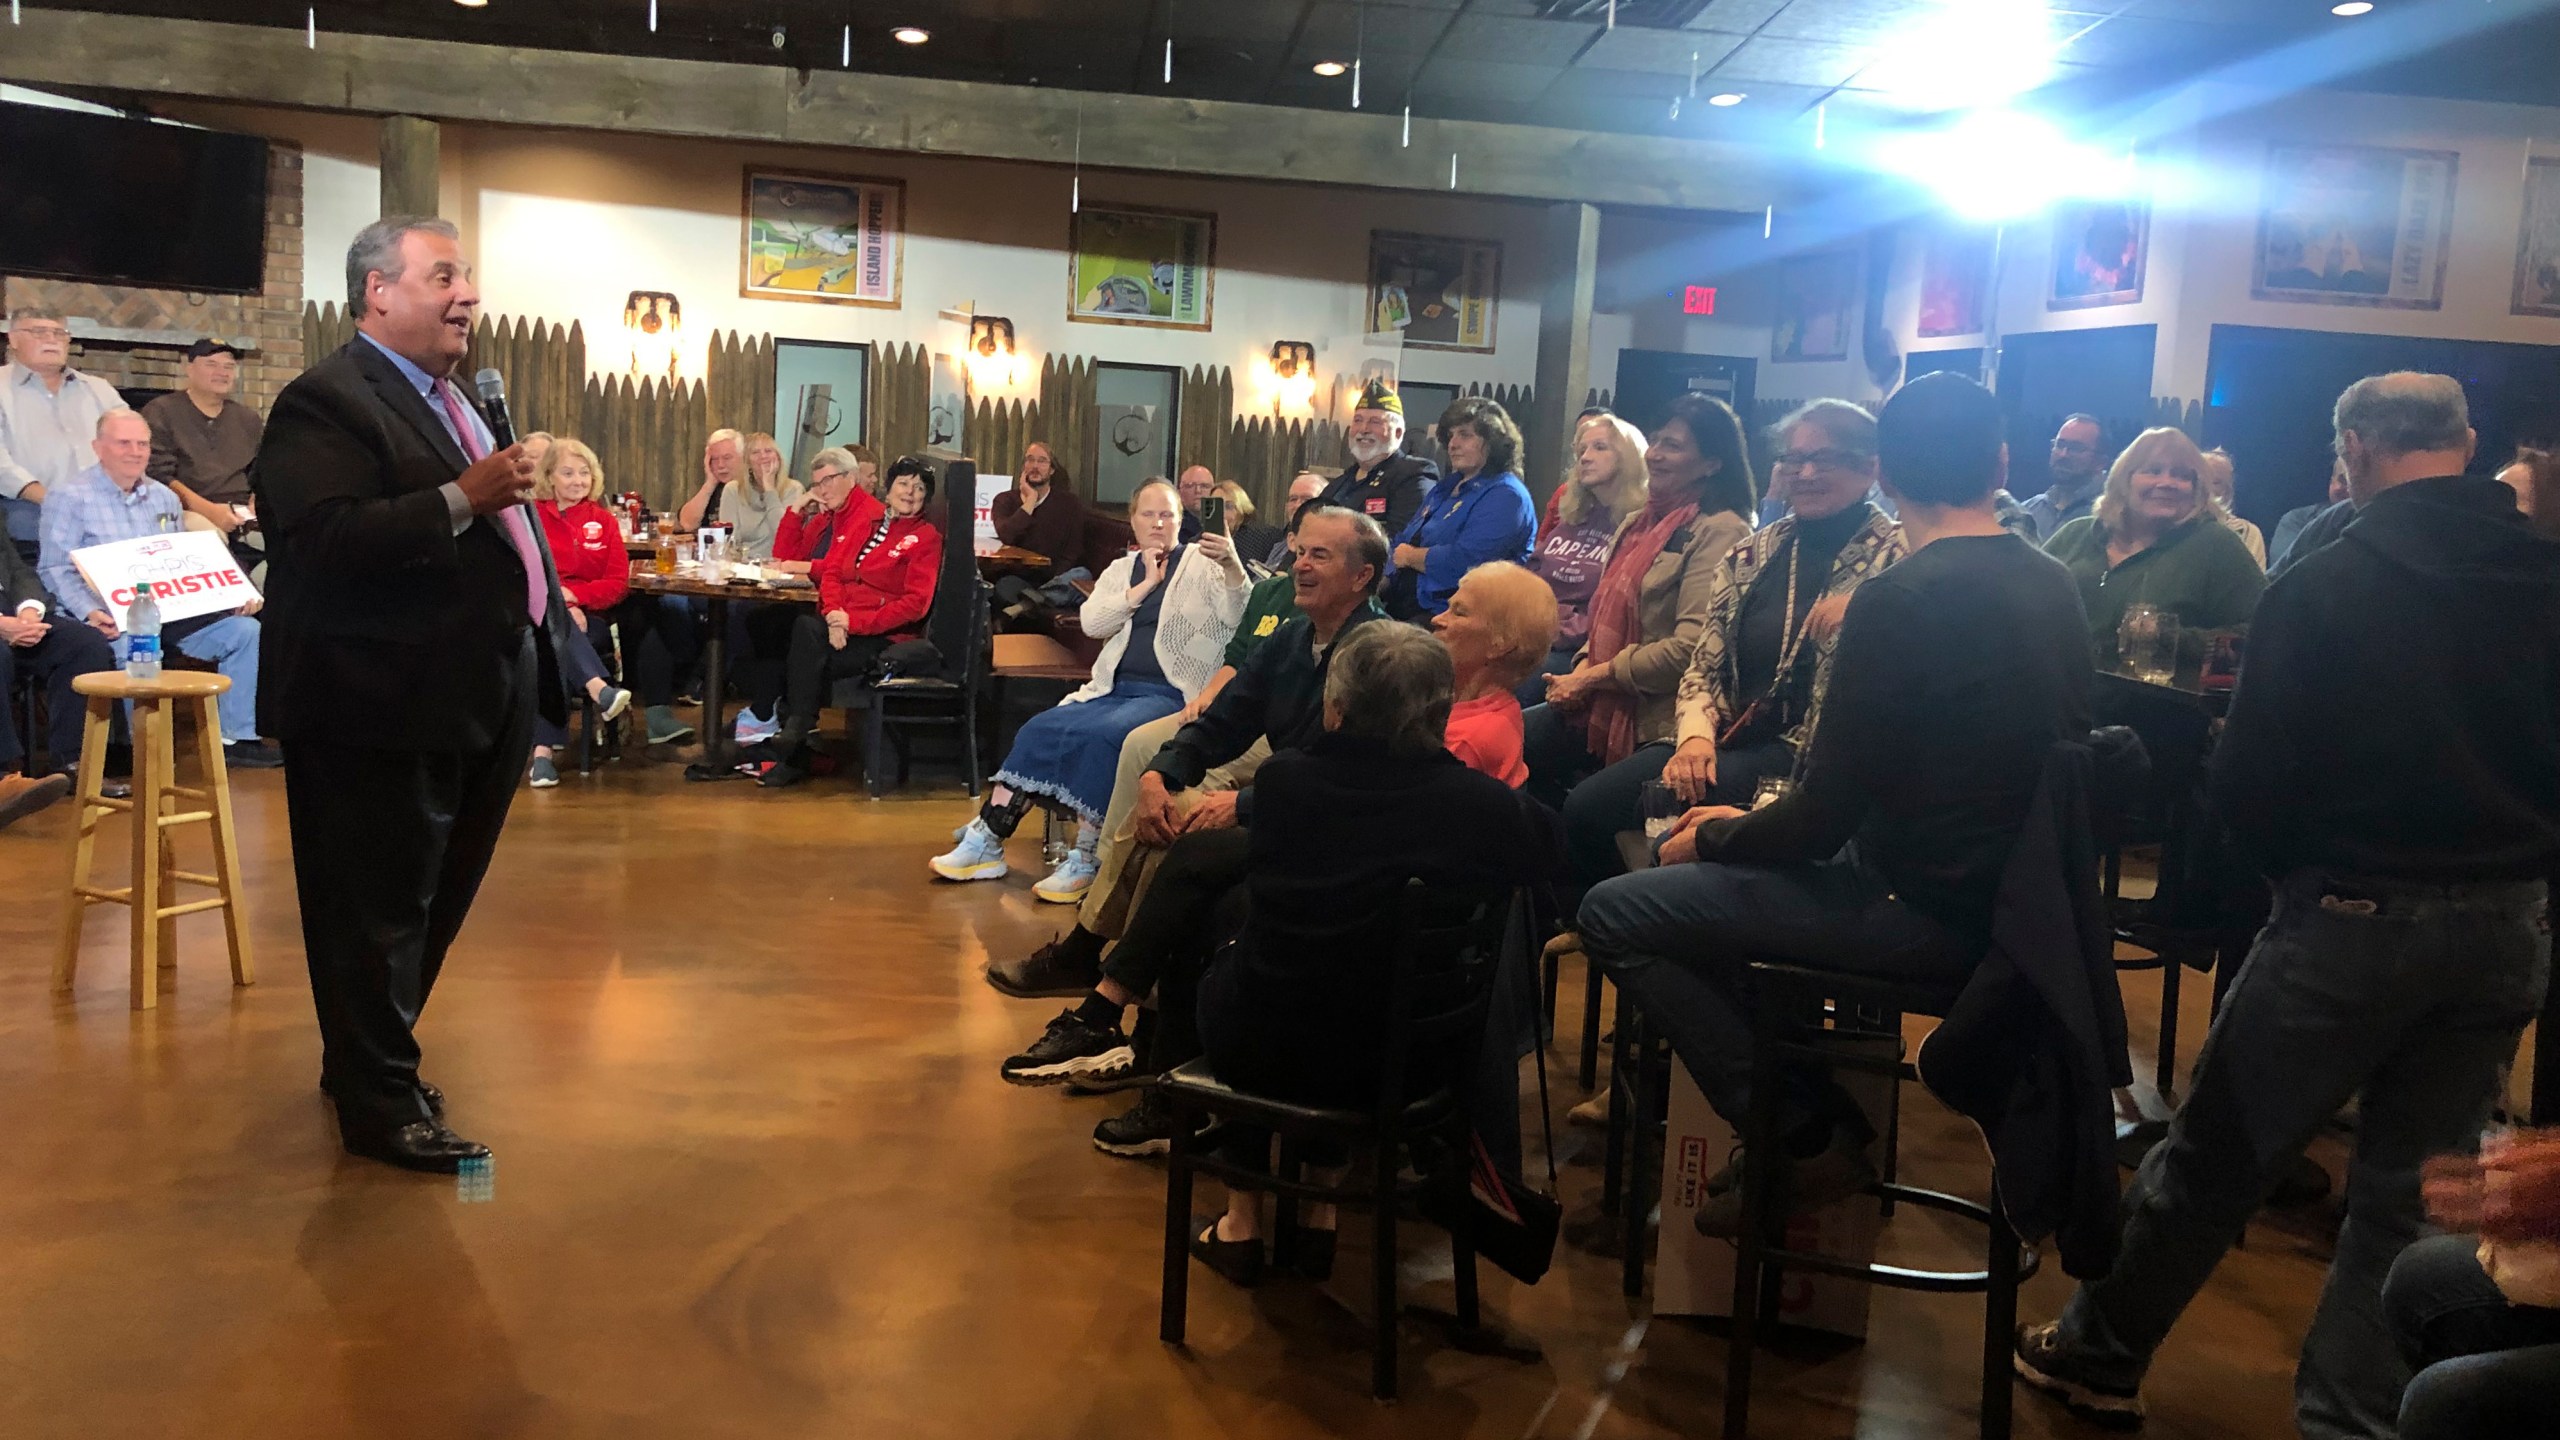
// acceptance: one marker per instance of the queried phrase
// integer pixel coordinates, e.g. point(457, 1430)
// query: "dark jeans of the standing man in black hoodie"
point(2410, 995)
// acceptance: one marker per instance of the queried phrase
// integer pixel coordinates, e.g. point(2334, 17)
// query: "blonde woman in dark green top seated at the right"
point(2154, 542)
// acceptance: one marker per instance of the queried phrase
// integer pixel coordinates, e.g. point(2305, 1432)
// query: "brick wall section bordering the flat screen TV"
point(273, 319)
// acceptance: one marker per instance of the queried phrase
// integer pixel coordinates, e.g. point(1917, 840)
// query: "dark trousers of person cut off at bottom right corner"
point(2484, 1370)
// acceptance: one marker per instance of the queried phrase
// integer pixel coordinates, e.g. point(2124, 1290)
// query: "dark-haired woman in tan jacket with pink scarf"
point(1606, 726)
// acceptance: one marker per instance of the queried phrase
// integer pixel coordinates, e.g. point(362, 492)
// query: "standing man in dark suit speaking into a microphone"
point(411, 639)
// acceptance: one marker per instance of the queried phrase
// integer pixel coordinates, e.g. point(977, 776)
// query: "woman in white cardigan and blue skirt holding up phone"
point(1166, 614)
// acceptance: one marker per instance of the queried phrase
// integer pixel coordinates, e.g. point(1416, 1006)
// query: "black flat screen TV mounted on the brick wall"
point(114, 201)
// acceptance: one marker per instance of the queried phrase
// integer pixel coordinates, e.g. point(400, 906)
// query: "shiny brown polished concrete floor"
point(756, 1177)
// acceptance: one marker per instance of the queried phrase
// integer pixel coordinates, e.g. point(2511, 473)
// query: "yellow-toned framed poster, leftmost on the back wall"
point(823, 237)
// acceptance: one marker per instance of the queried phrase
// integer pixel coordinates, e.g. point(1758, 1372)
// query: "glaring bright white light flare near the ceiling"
point(1998, 165)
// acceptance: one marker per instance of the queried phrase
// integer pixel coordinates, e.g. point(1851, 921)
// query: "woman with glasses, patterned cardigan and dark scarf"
point(1755, 688)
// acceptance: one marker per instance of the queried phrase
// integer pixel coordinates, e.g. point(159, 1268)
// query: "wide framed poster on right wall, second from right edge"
point(2354, 227)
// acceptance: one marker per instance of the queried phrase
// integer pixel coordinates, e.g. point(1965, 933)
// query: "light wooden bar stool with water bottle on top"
point(155, 811)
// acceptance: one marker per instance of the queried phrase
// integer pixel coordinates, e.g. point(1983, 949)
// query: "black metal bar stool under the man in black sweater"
point(1783, 998)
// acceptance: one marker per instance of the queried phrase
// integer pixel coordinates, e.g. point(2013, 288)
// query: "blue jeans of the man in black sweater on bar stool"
point(1681, 942)
